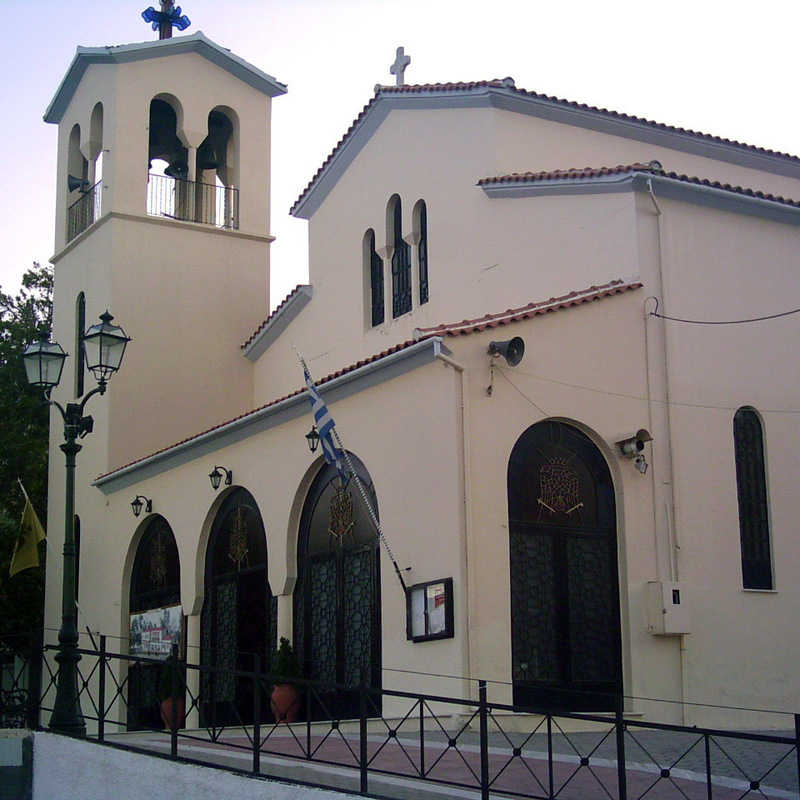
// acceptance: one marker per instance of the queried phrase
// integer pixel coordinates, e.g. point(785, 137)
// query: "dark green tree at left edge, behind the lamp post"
point(23, 443)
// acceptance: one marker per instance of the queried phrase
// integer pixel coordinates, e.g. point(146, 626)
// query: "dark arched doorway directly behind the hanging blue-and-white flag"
point(337, 617)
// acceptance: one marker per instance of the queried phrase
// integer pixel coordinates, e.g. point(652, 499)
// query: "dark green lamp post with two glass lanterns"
point(104, 346)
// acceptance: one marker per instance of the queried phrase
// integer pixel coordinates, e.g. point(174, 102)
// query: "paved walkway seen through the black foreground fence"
point(659, 765)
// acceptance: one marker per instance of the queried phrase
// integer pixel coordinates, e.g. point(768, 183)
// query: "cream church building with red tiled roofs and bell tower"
point(585, 481)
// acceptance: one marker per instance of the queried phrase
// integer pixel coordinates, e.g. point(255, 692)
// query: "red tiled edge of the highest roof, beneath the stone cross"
point(508, 83)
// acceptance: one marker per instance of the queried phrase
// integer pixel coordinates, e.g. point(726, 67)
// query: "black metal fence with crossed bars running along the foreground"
point(403, 738)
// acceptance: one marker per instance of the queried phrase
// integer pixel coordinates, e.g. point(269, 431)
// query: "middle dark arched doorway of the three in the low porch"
point(237, 625)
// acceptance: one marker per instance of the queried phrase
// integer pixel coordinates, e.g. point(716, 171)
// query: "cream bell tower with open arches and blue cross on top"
point(163, 217)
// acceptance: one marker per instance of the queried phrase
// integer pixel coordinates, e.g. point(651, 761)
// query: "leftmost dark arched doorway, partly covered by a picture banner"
point(155, 585)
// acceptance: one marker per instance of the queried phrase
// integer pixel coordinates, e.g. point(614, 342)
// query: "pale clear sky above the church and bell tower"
point(715, 67)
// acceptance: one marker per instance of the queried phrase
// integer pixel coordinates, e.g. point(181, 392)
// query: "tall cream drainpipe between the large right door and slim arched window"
point(658, 398)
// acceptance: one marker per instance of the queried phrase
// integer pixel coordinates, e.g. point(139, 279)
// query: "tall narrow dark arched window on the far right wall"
point(751, 483)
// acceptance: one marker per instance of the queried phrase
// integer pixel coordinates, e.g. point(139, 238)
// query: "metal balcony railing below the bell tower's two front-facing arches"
point(193, 201)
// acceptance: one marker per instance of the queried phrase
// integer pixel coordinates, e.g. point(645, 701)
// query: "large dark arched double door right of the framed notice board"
point(565, 620)
